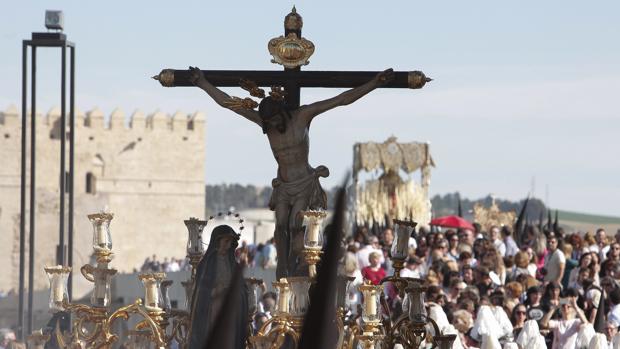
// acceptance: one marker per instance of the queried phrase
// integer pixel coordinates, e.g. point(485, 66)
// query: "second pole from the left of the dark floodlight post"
point(31, 240)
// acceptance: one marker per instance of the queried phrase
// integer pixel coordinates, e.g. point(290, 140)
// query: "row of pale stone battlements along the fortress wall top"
point(116, 120)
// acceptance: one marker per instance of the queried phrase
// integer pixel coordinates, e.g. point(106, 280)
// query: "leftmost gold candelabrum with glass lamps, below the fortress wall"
point(92, 325)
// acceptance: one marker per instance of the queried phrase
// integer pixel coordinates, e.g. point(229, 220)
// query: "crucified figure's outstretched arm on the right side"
point(308, 112)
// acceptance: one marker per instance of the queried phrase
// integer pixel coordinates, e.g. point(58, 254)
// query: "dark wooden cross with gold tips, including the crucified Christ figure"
point(296, 187)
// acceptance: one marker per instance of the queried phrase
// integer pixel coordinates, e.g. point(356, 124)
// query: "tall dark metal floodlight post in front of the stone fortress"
point(54, 21)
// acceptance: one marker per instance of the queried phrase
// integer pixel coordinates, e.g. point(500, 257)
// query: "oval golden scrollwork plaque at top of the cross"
point(290, 51)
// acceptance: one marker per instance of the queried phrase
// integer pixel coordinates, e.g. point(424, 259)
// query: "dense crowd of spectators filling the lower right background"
point(546, 290)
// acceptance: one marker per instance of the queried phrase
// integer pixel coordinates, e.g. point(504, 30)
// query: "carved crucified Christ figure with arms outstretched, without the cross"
point(296, 187)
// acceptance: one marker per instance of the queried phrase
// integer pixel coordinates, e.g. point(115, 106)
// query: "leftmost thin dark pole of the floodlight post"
point(22, 220)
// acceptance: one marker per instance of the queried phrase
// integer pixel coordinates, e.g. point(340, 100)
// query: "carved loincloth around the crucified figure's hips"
point(307, 188)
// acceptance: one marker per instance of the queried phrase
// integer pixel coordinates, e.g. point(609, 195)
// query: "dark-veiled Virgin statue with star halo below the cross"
point(213, 281)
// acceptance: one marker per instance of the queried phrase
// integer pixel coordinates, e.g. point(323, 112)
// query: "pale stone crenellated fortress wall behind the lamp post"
point(148, 169)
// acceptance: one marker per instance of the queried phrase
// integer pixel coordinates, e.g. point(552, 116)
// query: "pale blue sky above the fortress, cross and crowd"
point(522, 90)
